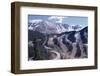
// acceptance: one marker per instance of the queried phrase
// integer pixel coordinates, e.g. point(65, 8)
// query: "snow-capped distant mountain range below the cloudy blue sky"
point(48, 27)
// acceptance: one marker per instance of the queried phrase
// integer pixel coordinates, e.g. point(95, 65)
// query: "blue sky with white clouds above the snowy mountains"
point(71, 20)
